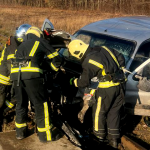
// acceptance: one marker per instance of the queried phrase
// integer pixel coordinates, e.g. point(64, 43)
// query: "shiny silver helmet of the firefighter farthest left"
point(20, 32)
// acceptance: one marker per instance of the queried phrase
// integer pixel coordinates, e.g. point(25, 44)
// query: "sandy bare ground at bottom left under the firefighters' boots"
point(9, 142)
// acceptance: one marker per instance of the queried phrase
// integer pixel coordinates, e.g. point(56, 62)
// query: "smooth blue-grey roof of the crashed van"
point(134, 28)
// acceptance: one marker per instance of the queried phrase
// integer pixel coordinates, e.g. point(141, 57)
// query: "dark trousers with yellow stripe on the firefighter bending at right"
point(106, 112)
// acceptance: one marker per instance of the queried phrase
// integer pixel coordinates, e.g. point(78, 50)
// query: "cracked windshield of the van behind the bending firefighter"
point(93, 39)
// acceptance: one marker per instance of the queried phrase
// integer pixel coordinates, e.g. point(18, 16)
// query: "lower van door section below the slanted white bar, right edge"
point(137, 98)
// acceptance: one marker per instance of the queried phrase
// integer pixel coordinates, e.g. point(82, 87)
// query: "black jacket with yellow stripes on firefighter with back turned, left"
point(33, 50)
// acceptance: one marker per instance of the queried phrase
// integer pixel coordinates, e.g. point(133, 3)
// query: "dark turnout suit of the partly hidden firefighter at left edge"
point(7, 100)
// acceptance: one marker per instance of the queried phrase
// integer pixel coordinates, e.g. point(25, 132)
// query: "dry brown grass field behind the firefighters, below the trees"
point(70, 21)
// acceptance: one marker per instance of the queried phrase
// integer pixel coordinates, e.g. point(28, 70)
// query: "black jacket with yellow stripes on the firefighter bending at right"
point(100, 61)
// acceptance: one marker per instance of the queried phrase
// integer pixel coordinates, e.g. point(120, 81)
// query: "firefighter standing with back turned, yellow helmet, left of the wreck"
point(27, 75)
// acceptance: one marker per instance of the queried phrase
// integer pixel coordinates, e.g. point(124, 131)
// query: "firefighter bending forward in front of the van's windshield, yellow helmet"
point(106, 64)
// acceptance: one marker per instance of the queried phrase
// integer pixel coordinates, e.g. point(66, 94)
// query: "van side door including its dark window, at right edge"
point(137, 101)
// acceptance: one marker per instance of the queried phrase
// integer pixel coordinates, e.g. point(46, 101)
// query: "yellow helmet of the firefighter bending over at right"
point(77, 48)
